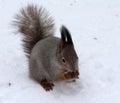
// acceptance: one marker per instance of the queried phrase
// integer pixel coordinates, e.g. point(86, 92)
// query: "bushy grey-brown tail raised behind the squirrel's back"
point(35, 24)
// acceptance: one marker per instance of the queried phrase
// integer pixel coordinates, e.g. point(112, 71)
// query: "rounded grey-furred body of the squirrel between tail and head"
point(43, 57)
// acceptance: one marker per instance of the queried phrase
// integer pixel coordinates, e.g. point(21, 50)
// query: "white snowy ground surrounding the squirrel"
point(95, 27)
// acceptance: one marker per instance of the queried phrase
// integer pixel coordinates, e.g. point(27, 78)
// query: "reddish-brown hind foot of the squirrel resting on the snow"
point(47, 85)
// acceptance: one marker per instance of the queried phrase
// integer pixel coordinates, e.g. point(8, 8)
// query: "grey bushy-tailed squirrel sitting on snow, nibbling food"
point(50, 58)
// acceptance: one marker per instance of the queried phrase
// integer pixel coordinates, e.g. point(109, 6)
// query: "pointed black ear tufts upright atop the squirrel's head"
point(65, 35)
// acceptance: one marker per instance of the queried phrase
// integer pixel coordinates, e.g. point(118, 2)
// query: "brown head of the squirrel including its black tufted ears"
point(66, 52)
